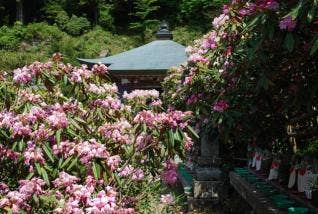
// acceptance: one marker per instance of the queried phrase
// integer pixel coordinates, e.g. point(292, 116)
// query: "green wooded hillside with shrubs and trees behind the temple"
point(34, 30)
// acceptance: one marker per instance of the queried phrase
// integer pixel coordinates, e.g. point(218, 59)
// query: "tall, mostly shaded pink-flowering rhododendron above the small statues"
point(254, 77)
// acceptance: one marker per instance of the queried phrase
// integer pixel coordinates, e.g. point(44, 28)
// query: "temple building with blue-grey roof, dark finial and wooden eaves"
point(146, 66)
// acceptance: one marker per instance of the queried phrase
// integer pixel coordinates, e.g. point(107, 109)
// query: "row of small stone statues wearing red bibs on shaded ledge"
point(302, 173)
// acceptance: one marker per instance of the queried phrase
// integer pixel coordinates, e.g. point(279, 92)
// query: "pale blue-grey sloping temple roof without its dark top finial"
point(158, 55)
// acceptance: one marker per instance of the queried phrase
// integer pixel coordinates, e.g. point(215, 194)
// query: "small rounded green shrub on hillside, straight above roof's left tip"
point(77, 25)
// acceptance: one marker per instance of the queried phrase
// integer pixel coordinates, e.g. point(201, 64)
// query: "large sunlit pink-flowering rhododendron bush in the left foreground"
point(75, 152)
